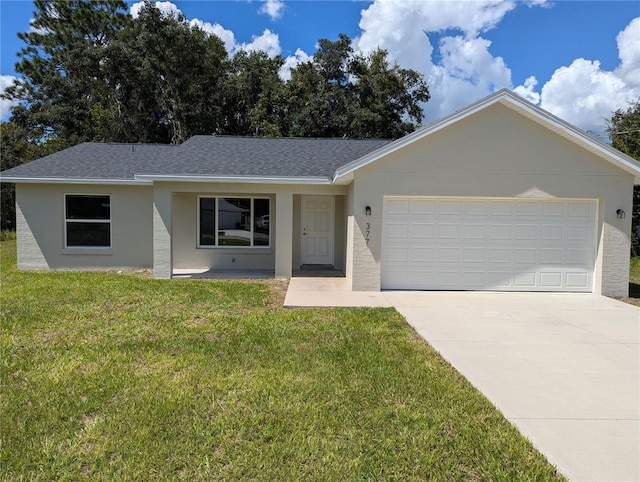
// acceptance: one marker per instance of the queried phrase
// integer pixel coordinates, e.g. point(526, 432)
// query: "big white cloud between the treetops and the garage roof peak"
point(465, 71)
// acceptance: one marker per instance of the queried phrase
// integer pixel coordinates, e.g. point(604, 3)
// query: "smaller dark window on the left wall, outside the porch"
point(87, 220)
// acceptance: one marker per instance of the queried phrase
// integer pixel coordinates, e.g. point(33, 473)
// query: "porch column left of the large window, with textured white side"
point(162, 259)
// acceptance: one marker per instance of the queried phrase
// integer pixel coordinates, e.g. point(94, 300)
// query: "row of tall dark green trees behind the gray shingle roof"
point(92, 73)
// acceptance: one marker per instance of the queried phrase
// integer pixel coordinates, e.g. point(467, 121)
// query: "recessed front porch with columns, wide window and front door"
point(226, 231)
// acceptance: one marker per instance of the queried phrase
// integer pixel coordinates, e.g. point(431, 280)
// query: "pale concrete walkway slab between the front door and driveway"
point(329, 292)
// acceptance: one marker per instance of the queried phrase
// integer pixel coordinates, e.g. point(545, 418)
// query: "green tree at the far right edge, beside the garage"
point(624, 132)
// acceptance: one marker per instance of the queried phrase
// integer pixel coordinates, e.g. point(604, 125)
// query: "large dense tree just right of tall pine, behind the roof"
point(165, 79)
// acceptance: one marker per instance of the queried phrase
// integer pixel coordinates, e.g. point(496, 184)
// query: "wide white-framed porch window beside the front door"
point(233, 222)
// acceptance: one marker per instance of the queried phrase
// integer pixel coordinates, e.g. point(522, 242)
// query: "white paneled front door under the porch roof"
point(317, 229)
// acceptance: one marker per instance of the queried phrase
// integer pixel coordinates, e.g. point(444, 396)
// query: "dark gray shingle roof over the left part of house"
point(201, 156)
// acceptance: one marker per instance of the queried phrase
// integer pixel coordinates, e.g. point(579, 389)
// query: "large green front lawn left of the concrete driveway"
point(107, 376)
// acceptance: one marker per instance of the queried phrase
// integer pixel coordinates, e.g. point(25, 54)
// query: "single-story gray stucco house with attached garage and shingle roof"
point(501, 195)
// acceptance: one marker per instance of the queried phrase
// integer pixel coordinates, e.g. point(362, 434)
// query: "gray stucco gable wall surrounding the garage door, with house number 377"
point(495, 153)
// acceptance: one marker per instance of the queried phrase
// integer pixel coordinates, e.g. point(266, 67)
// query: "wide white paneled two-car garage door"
point(488, 244)
